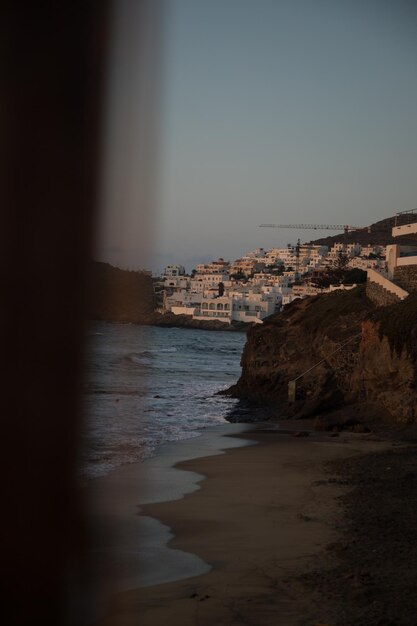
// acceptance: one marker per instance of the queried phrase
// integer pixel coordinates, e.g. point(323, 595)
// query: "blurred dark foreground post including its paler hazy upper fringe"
point(67, 80)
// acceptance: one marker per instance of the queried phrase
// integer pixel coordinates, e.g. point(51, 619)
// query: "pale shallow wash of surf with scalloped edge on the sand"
point(118, 560)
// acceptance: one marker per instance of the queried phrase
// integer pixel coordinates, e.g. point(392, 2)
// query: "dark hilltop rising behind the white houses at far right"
point(380, 234)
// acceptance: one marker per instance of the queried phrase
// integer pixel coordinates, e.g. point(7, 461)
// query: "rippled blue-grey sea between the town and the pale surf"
point(146, 386)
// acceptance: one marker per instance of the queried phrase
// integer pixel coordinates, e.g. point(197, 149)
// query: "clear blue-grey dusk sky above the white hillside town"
point(275, 111)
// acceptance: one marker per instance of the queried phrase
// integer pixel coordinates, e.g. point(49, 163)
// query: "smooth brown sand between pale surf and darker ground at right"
point(262, 518)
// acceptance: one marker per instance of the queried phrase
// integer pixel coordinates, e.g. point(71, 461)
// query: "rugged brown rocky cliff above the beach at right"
point(343, 349)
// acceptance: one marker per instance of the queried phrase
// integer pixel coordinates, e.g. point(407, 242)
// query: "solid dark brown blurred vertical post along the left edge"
point(53, 56)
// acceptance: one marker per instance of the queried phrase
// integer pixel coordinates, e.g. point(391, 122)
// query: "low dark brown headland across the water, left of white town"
point(117, 295)
